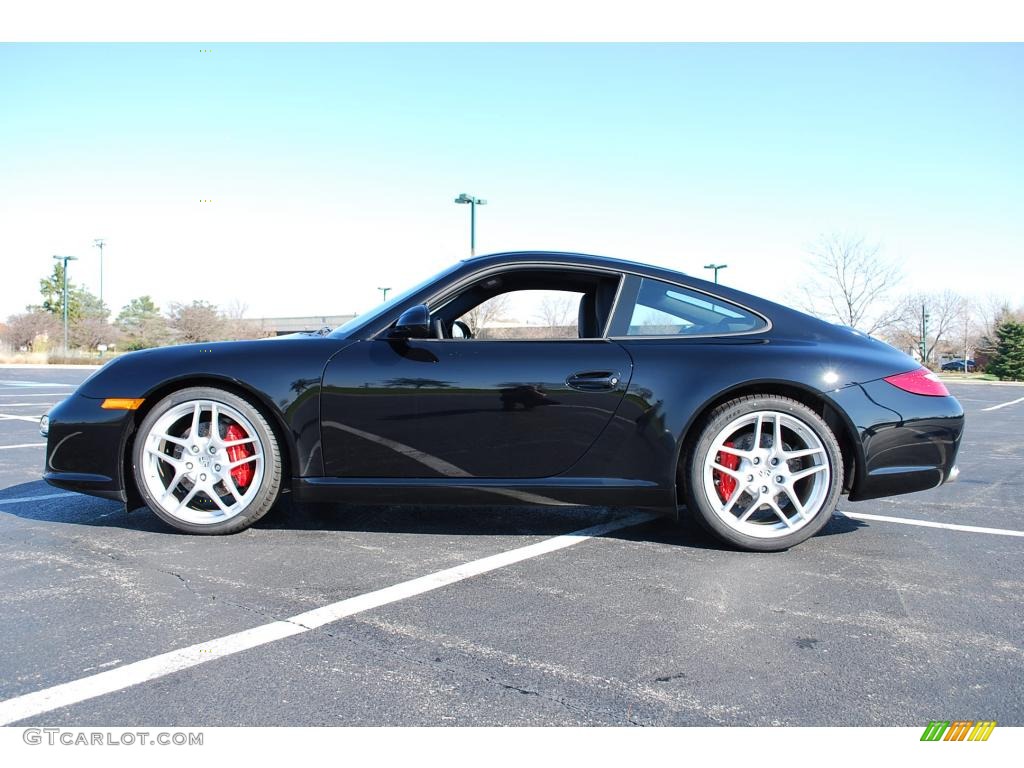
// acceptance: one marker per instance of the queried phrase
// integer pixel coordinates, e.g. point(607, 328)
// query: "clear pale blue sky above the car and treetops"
point(332, 168)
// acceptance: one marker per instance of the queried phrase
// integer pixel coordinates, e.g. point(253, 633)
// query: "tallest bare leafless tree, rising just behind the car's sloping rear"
point(851, 284)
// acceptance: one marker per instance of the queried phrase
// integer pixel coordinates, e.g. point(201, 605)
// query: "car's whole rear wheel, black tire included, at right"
point(751, 495)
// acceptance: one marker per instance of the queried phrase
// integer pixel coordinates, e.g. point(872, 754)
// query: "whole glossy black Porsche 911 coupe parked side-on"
point(620, 385)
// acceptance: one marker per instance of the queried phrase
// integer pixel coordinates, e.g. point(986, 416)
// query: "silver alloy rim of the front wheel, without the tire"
point(188, 462)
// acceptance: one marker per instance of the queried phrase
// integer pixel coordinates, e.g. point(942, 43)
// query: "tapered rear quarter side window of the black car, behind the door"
point(665, 310)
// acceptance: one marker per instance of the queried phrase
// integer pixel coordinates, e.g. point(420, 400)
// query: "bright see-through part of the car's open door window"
point(527, 315)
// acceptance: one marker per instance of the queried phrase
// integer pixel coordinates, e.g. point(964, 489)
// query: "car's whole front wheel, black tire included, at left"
point(199, 484)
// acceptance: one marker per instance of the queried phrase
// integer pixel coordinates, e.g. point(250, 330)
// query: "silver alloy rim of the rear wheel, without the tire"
point(781, 481)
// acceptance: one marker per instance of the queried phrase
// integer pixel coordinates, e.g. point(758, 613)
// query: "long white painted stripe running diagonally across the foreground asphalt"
point(119, 678)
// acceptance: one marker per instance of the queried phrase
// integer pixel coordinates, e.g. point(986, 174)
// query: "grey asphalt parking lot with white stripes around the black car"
point(871, 623)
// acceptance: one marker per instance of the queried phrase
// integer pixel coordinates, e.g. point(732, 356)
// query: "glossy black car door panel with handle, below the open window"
point(470, 408)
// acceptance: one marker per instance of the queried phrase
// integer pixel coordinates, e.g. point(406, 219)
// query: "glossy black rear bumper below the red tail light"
point(909, 443)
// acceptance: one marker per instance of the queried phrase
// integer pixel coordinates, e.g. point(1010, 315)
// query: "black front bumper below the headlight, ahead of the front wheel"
point(84, 448)
